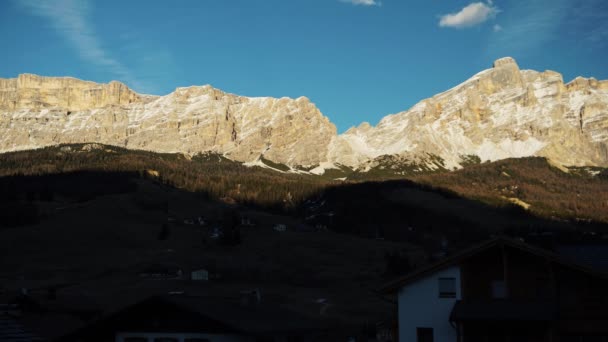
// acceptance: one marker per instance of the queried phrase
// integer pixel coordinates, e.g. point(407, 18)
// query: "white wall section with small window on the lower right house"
point(421, 307)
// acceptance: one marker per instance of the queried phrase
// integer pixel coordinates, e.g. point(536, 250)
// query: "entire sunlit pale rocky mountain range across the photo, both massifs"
point(499, 113)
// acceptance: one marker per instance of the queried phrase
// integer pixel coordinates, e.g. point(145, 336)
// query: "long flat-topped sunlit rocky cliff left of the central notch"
point(40, 111)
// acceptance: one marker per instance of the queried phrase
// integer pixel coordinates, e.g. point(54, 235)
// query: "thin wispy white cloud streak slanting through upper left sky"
point(70, 18)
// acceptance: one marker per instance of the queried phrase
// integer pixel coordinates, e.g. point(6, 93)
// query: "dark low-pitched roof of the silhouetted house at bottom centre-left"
point(195, 314)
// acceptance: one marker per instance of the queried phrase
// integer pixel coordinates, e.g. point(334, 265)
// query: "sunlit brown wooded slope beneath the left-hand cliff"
point(212, 174)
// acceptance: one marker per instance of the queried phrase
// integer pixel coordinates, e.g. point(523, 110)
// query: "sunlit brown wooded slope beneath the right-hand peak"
point(549, 191)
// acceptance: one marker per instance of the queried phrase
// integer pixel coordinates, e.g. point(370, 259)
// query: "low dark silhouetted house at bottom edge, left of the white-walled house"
point(183, 318)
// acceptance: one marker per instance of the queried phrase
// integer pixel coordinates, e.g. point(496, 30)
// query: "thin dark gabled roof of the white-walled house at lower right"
point(499, 242)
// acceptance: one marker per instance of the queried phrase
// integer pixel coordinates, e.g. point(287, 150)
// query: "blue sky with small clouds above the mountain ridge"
point(358, 60)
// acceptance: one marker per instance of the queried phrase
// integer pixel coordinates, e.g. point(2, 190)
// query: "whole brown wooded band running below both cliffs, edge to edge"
point(531, 183)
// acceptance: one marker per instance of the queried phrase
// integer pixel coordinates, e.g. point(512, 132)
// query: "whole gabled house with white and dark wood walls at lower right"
point(503, 290)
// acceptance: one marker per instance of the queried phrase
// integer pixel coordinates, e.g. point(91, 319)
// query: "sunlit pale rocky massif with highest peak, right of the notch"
point(499, 113)
